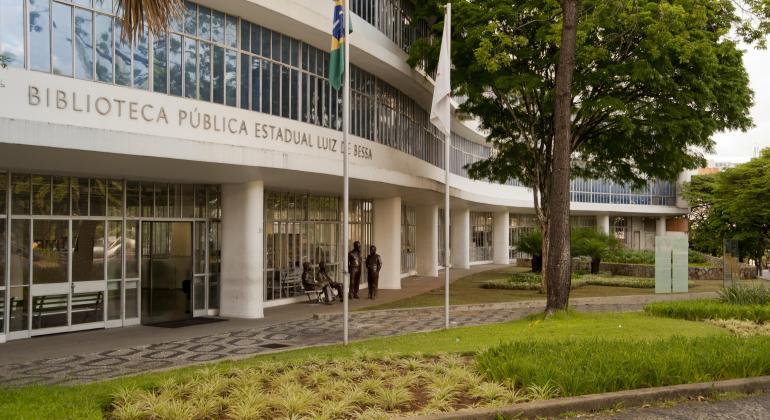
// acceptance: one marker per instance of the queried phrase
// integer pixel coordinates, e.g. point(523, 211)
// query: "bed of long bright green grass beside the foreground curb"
point(579, 367)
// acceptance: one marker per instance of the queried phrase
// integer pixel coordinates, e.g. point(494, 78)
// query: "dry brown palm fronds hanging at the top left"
point(155, 15)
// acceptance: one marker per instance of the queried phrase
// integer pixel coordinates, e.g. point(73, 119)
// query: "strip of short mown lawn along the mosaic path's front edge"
point(90, 400)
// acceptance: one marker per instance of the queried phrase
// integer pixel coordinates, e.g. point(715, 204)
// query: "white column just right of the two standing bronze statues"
point(387, 238)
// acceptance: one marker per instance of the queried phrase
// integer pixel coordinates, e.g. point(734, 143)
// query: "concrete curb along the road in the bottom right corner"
point(595, 402)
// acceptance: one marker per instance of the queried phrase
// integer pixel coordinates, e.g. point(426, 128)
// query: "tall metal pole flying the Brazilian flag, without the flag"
point(345, 175)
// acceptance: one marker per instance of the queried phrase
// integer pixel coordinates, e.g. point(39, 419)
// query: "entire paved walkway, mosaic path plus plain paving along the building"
point(103, 354)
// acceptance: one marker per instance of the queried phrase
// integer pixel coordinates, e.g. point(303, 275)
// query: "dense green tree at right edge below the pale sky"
point(732, 205)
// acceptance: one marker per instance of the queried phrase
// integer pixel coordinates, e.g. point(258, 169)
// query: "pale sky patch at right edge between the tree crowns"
point(739, 147)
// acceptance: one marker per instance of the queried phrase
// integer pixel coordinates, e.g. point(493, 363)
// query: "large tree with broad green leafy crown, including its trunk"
point(652, 82)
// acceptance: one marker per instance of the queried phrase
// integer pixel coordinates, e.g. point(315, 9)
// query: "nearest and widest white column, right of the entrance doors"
point(242, 250)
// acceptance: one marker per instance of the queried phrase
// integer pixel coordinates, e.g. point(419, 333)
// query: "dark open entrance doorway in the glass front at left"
point(167, 271)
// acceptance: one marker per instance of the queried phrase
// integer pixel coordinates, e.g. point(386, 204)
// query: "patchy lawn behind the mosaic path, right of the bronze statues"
point(467, 290)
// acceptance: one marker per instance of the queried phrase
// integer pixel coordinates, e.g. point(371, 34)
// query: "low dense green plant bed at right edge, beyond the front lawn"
point(699, 310)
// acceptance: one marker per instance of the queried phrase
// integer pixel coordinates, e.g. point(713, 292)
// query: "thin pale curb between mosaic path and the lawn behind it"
point(534, 304)
